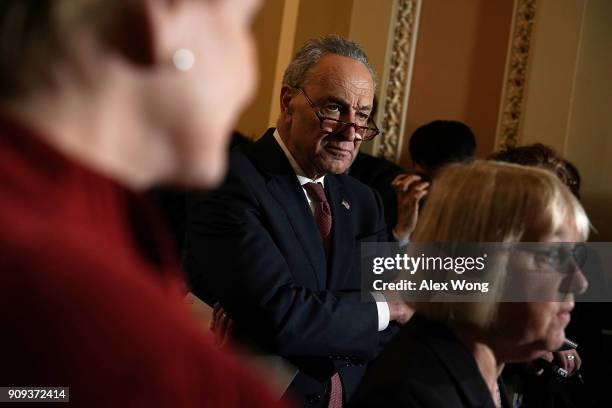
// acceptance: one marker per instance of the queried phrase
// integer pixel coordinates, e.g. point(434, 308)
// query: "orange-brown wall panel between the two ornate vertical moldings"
point(459, 66)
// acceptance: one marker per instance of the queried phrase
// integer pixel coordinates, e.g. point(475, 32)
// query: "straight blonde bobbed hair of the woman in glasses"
point(493, 202)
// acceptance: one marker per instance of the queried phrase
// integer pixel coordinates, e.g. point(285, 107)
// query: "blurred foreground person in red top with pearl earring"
point(99, 100)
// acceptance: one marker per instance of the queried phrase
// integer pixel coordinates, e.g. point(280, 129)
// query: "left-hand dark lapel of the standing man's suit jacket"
point(284, 186)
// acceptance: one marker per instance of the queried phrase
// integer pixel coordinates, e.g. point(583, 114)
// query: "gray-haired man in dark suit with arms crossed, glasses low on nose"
point(278, 246)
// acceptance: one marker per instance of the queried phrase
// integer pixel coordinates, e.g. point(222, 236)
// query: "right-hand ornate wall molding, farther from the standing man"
point(516, 74)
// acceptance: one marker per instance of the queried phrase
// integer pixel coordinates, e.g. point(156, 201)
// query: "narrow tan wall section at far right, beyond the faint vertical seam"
point(589, 141)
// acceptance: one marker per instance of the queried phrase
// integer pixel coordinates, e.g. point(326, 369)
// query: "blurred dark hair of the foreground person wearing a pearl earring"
point(34, 35)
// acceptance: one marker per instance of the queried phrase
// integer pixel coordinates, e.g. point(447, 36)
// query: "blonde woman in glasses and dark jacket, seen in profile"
point(451, 354)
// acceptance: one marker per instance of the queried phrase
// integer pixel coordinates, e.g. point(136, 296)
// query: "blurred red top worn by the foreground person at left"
point(90, 293)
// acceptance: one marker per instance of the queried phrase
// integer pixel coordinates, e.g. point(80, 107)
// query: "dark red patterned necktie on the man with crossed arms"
point(323, 219)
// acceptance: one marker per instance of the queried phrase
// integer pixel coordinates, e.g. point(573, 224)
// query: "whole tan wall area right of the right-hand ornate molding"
point(569, 96)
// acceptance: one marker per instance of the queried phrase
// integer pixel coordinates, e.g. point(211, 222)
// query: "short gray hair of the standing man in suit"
point(312, 52)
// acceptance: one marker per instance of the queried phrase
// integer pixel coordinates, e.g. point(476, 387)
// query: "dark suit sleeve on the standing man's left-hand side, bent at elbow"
point(232, 258)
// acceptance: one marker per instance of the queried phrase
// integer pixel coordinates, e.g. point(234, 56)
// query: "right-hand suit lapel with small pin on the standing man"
point(342, 233)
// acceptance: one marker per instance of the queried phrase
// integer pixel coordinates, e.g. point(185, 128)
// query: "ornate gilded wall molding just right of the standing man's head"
point(399, 72)
